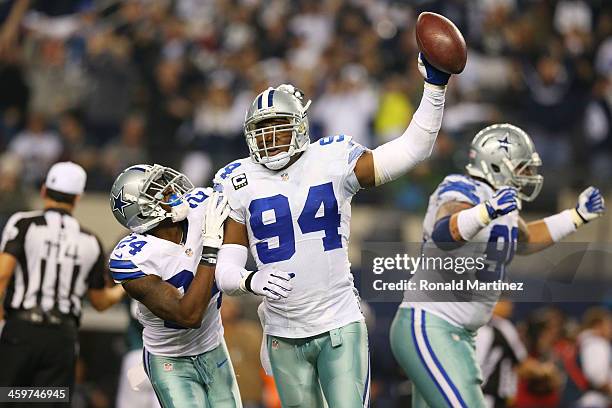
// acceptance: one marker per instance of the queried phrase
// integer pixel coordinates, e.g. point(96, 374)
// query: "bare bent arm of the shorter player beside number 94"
point(166, 302)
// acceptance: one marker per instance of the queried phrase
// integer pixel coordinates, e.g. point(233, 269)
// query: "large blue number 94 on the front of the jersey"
point(281, 225)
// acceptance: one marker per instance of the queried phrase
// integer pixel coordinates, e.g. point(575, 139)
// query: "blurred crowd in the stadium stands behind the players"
point(108, 84)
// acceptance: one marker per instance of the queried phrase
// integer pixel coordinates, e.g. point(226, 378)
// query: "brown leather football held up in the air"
point(441, 42)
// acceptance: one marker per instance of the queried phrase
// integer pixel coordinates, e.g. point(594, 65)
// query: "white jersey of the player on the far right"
point(502, 231)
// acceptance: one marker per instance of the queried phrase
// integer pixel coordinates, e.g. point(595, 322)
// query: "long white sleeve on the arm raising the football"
point(393, 159)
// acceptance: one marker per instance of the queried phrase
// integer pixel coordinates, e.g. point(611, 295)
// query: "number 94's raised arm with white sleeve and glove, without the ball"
point(395, 158)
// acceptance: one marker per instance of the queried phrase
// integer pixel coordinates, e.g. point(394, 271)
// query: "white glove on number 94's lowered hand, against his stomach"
point(270, 282)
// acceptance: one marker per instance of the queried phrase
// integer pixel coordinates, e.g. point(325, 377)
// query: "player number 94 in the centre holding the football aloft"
point(291, 205)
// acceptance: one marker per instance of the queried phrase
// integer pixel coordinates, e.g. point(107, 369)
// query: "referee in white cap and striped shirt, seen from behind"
point(48, 262)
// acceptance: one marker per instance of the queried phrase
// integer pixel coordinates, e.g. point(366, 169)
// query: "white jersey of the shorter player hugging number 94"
point(140, 255)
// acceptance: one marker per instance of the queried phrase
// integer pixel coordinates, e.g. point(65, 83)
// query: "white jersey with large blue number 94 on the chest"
point(298, 221)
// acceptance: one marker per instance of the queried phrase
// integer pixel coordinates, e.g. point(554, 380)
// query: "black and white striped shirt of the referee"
point(57, 261)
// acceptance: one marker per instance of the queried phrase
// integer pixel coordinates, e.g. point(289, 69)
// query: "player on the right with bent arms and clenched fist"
point(434, 341)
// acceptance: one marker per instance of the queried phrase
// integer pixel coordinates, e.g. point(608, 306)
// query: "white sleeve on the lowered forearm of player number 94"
point(230, 269)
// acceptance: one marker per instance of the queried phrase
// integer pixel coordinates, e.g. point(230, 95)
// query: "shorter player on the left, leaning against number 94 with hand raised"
point(167, 264)
